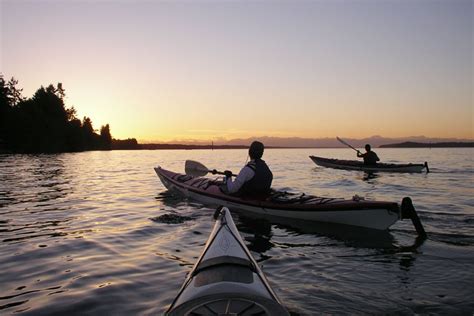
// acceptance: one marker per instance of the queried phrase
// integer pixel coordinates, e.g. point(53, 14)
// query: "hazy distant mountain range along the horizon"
point(328, 142)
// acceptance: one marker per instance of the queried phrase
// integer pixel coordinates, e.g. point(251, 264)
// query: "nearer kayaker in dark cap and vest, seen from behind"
point(253, 179)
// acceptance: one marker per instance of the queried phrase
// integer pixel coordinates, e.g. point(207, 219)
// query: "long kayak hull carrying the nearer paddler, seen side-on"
point(356, 212)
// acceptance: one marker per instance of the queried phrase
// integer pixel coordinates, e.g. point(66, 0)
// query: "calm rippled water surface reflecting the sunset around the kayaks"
point(79, 234)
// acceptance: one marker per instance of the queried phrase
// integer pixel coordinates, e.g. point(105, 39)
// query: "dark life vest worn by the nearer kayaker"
point(262, 180)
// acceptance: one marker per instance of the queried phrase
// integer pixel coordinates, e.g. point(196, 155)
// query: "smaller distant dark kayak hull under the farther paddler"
point(358, 165)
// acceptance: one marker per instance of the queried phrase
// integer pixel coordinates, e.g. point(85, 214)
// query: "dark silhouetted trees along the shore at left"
point(43, 124)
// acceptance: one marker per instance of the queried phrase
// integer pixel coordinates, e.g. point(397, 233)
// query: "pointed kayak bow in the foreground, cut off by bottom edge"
point(226, 279)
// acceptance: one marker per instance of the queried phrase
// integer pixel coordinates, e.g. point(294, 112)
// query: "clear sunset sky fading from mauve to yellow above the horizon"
point(208, 70)
